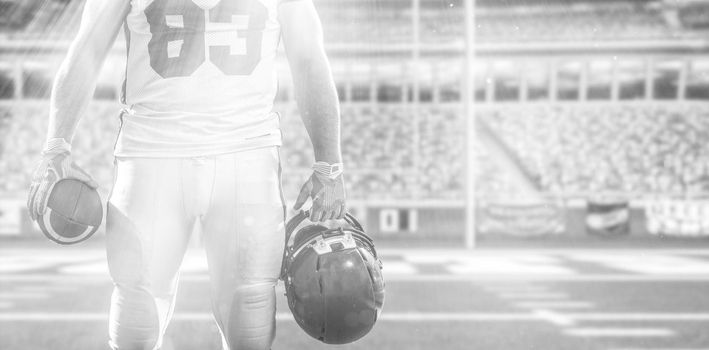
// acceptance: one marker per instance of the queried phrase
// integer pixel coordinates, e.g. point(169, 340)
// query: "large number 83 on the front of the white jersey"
point(186, 33)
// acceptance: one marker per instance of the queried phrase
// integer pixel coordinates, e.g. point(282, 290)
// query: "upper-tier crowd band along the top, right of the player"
point(445, 24)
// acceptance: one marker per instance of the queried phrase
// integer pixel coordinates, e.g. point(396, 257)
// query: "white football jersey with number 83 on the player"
point(200, 77)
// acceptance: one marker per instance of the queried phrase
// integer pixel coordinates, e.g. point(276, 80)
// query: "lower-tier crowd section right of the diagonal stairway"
point(637, 148)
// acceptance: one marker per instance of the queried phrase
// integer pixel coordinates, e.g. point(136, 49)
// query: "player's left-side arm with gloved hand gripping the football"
point(71, 93)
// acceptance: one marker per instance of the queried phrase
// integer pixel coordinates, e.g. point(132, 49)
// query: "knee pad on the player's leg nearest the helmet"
point(247, 317)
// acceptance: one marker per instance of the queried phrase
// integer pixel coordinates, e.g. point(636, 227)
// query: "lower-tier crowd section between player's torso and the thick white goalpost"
point(381, 153)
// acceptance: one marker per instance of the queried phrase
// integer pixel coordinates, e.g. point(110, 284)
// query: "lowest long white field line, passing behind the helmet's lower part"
point(398, 316)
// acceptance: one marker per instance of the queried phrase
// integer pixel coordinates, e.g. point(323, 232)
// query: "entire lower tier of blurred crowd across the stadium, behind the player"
point(398, 152)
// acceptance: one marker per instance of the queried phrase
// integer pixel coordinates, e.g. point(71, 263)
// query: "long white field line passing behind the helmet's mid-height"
point(619, 278)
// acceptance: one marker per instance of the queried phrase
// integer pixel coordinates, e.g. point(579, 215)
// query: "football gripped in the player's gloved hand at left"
point(74, 212)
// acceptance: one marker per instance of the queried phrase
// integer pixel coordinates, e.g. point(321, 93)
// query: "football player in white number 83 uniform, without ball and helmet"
point(198, 142)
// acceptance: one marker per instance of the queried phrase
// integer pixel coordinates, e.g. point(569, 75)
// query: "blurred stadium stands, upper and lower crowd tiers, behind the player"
point(397, 151)
